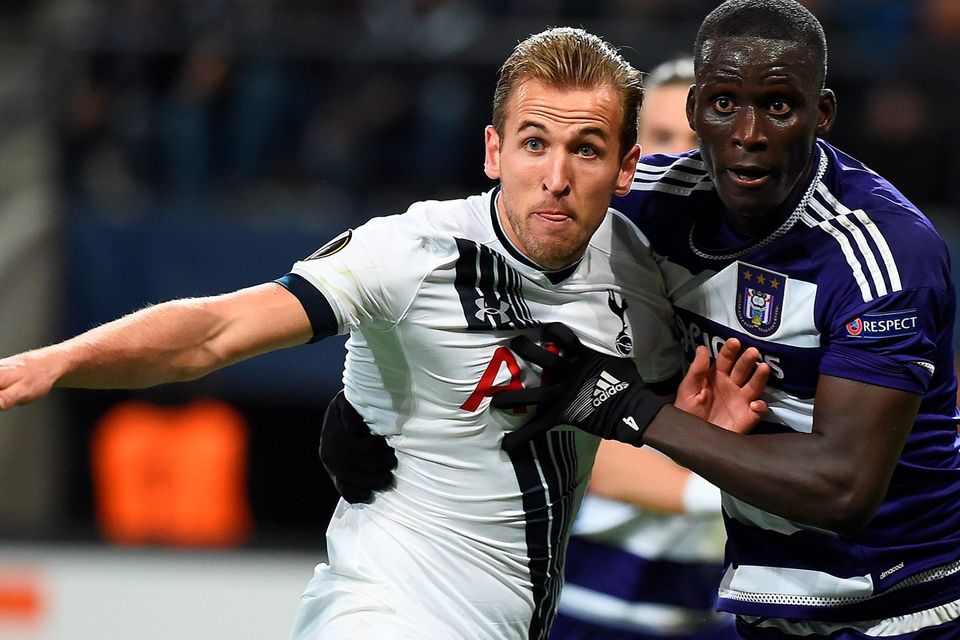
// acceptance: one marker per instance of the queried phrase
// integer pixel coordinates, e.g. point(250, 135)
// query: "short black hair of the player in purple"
point(774, 19)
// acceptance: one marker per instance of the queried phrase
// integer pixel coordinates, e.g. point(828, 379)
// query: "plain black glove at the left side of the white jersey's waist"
point(358, 461)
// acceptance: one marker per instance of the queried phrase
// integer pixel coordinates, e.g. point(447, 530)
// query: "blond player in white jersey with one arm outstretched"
point(470, 542)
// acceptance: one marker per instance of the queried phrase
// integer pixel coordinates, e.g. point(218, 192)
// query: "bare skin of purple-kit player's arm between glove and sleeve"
point(834, 478)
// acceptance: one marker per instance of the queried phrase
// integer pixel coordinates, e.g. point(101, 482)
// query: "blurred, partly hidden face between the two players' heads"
point(663, 121)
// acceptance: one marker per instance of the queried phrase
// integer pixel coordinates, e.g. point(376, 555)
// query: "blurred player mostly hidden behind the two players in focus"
point(646, 555)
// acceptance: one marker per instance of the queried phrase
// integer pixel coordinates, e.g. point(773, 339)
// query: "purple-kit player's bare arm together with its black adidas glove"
point(833, 478)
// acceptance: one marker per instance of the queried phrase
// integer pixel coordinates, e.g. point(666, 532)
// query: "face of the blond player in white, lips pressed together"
point(558, 161)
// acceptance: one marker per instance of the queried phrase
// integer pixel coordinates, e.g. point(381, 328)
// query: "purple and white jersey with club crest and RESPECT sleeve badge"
point(854, 284)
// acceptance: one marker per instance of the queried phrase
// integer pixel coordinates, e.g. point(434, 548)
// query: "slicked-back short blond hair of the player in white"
point(566, 57)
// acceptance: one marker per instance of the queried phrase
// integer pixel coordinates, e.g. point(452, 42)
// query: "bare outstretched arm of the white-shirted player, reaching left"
point(170, 342)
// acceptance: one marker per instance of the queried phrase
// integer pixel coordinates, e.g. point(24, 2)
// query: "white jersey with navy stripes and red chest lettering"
point(470, 541)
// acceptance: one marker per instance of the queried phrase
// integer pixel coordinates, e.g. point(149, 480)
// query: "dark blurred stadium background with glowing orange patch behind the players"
point(159, 148)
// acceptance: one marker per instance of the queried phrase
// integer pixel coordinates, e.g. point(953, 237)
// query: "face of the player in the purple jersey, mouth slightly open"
point(758, 107)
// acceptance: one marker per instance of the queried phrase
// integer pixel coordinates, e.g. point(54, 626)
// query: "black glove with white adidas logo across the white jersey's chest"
point(603, 395)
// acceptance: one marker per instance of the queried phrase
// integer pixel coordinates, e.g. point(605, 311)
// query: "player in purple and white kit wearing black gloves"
point(843, 508)
